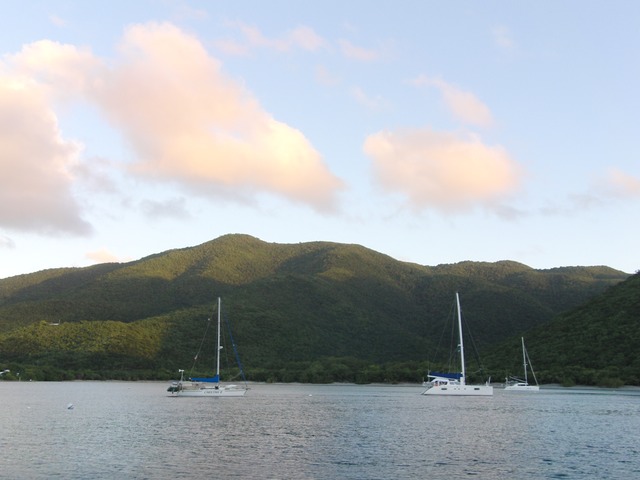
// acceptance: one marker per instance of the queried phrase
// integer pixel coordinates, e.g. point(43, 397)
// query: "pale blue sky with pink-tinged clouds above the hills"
point(433, 132)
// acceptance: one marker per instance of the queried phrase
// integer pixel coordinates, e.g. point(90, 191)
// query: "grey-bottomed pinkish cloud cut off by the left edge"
point(35, 163)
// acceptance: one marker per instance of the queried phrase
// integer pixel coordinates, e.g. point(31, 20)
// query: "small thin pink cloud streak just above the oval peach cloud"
point(462, 104)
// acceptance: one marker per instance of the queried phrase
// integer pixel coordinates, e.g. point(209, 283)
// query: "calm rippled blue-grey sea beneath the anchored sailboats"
point(132, 430)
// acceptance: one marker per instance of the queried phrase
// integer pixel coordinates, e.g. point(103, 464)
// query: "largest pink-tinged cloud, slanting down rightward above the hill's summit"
point(190, 124)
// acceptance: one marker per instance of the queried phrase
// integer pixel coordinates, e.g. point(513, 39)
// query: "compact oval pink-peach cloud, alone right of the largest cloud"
point(442, 171)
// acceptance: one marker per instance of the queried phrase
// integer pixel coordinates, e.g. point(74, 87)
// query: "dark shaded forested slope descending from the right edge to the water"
point(595, 343)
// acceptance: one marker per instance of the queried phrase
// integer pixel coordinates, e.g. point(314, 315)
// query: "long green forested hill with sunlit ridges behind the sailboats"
point(316, 311)
